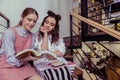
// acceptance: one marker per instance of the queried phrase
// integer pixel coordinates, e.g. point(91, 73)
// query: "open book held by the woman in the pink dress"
point(34, 53)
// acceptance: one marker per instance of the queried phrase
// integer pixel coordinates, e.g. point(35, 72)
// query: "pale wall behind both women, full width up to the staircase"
point(13, 8)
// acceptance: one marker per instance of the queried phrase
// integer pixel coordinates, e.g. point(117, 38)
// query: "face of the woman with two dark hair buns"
point(49, 24)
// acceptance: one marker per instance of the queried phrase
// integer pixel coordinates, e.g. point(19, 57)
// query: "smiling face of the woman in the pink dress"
point(29, 21)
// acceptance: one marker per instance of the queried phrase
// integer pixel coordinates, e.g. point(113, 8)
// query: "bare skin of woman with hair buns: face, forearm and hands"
point(48, 26)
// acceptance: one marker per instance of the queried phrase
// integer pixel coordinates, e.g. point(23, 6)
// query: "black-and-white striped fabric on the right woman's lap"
point(61, 73)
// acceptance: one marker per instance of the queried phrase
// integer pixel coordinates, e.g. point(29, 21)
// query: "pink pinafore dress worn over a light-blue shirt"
point(8, 72)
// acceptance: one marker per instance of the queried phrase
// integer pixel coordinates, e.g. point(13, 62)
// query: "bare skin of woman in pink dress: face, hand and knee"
point(28, 22)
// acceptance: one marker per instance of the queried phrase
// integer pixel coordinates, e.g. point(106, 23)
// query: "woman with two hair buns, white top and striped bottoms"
point(47, 38)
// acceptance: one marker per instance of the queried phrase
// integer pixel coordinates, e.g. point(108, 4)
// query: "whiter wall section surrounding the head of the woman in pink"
point(13, 9)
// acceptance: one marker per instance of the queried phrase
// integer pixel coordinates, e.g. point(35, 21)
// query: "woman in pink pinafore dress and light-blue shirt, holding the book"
point(15, 40)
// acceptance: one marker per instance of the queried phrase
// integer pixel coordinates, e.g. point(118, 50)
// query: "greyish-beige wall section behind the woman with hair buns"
point(62, 7)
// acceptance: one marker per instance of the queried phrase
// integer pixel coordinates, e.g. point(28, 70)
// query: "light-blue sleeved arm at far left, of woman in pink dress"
point(8, 43)
